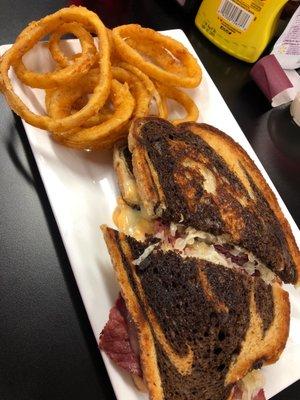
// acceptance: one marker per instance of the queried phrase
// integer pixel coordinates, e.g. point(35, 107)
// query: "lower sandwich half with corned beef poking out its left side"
point(200, 322)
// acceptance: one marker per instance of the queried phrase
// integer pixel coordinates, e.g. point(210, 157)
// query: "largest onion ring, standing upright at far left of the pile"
point(27, 39)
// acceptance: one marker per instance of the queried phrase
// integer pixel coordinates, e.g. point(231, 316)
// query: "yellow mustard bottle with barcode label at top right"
point(242, 28)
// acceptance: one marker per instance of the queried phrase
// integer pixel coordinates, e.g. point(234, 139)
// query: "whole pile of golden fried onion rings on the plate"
point(92, 96)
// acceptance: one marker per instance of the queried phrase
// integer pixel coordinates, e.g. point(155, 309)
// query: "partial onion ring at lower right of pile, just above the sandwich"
point(169, 92)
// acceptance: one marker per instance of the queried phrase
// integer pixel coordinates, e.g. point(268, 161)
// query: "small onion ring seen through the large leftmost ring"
point(86, 41)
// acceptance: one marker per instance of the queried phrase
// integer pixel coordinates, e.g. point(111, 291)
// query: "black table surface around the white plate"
point(47, 348)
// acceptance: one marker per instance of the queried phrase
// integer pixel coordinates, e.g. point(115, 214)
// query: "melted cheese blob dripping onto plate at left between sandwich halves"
point(131, 222)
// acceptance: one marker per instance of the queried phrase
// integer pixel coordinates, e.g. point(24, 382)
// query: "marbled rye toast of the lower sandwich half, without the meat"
point(220, 287)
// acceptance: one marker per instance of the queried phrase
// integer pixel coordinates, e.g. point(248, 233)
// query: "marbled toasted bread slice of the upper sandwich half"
point(197, 175)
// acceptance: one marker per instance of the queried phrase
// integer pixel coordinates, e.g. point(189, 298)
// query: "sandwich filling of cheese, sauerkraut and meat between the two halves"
point(188, 242)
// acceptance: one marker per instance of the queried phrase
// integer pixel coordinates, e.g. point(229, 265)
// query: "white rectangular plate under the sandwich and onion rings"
point(82, 190)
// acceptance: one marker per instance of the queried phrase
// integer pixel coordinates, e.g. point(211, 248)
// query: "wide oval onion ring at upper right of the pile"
point(191, 72)
